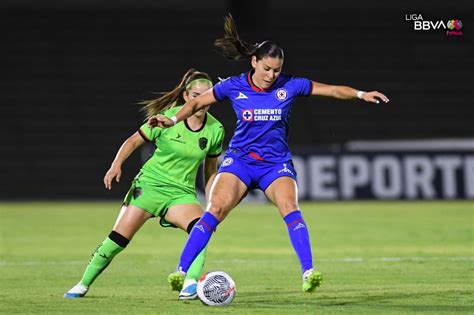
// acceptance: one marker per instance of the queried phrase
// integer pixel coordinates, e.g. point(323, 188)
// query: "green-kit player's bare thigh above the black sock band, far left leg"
point(130, 221)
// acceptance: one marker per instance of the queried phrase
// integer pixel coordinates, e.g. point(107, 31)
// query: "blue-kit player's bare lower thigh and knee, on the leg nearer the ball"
point(226, 192)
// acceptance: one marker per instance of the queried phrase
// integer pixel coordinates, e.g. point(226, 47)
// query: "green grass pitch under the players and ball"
point(376, 257)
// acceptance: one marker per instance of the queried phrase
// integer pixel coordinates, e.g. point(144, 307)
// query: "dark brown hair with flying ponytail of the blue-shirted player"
point(234, 48)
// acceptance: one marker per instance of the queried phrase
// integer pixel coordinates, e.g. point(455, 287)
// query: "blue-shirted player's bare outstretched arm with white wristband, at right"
point(346, 92)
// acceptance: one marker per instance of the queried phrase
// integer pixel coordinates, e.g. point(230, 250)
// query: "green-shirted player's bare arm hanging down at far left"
point(127, 148)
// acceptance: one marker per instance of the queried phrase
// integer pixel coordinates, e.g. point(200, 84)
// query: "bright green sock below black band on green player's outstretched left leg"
point(100, 259)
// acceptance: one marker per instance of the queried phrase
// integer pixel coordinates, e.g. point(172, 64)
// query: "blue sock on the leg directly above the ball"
point(197, 240)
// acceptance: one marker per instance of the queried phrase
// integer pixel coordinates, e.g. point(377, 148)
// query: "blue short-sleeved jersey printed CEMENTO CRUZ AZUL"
point(262, 115)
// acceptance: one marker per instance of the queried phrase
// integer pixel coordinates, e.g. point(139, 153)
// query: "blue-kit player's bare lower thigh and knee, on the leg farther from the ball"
point(283, 192)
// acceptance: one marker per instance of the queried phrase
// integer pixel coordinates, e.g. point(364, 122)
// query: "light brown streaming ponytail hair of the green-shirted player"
point(173, 98)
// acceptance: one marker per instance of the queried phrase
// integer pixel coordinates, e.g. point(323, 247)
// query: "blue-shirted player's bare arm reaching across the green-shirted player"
point(188, 109)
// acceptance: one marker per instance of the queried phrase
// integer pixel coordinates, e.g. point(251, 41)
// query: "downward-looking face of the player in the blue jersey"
point(267, 71)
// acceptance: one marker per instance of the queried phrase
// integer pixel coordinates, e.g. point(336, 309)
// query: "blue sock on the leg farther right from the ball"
point(299, 239)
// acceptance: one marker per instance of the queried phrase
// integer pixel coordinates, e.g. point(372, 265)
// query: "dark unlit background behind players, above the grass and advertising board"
point(72, 72)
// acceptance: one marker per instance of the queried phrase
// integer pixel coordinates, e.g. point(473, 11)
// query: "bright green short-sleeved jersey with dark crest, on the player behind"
point(180, 151)
